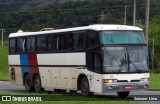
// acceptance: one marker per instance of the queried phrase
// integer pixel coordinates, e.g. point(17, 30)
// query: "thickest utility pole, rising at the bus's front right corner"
point(147, 19)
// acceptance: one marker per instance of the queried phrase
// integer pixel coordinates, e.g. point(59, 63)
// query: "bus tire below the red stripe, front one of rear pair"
point(37, 84)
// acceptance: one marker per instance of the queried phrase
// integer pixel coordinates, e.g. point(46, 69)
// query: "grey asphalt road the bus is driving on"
point(8, 87)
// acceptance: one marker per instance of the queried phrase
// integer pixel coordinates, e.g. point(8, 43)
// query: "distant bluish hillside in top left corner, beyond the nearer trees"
point(23, 5)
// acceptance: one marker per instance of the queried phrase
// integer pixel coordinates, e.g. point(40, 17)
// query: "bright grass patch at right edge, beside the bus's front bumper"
point(154, 82)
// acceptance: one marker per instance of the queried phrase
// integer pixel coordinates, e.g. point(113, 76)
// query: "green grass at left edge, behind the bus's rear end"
point(4, 64)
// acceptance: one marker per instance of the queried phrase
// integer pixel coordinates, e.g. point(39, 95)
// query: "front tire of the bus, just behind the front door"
point(85, 86)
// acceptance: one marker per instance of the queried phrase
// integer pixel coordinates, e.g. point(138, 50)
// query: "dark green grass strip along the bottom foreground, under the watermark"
point(67, 99)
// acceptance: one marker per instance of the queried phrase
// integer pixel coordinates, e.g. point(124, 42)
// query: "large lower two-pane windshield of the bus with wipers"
point(125, 59)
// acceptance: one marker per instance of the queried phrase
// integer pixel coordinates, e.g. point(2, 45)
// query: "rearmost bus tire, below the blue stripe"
point(27, 83)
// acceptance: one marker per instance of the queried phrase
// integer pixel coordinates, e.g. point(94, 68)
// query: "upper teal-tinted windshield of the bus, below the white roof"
point(122, 37)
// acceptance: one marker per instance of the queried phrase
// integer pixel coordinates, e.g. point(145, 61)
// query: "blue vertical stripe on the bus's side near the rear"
point(24, 61)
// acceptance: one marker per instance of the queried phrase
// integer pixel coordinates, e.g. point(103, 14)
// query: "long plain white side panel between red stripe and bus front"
point(71, 59)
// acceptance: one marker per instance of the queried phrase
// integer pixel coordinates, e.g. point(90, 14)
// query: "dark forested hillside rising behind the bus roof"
point(33, 15)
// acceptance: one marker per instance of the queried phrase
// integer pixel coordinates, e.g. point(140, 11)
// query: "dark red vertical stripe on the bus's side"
point(32, 60)
